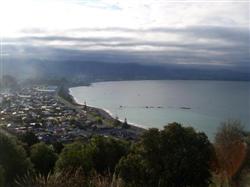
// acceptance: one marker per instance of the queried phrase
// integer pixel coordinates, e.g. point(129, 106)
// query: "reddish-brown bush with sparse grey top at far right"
point(232, 152)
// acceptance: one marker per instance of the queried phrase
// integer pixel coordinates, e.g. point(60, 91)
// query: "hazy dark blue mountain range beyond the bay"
point(84, 71)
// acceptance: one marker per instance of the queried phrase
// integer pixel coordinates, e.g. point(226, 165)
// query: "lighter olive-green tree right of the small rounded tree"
point(74, 156)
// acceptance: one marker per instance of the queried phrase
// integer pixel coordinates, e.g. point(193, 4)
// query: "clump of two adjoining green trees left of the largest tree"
point(100, 154)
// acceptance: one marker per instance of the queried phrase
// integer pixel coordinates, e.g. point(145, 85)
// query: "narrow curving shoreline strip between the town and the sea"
point(103, 113)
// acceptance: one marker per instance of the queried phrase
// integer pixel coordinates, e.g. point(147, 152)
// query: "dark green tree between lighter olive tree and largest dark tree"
point(107, 152)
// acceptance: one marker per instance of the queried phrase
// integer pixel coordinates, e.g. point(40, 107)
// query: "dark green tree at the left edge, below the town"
point(13, 158)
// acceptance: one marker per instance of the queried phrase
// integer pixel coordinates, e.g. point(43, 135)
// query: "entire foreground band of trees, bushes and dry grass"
point(176, 156)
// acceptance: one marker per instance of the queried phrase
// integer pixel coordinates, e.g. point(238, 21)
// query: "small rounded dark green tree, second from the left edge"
point(43, 157)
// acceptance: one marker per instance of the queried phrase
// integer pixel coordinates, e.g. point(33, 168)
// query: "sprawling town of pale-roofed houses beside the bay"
point(52, 119)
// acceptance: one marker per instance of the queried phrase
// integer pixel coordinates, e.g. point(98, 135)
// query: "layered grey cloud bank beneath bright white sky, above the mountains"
point(228, 46)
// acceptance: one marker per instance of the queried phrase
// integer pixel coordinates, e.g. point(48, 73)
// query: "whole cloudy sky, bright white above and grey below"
point(184, 32)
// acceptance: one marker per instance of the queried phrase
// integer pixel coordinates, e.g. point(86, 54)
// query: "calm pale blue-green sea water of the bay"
point(201, 104)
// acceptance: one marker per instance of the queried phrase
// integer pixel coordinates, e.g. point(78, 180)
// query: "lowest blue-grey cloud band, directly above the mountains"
point(144, 57)
